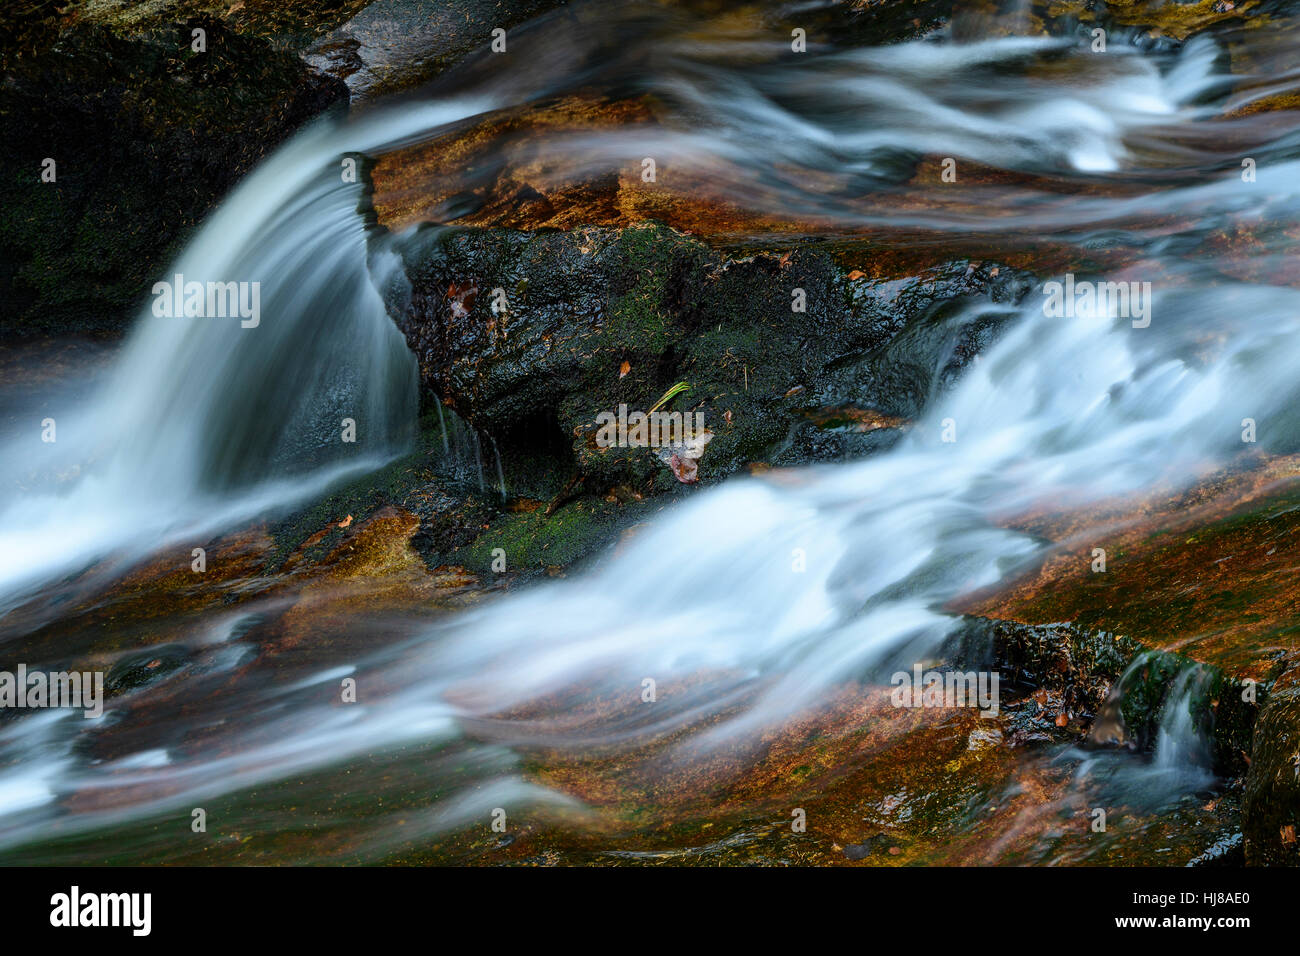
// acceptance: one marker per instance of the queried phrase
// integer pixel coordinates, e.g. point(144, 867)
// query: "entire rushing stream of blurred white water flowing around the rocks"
point(203, 426)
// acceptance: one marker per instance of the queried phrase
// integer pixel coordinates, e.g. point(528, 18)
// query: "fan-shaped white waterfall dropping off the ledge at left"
point(206, 422)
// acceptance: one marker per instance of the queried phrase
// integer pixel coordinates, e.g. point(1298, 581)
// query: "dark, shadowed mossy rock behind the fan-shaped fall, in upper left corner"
point(146, 136)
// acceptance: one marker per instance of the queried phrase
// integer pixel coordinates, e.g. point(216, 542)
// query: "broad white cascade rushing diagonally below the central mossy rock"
point(1058, 410)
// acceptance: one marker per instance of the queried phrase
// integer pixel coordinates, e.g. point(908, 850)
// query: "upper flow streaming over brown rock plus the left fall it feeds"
point(203, 408)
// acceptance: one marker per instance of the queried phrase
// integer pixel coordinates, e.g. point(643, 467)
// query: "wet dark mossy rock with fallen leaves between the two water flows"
point(595, 319)
